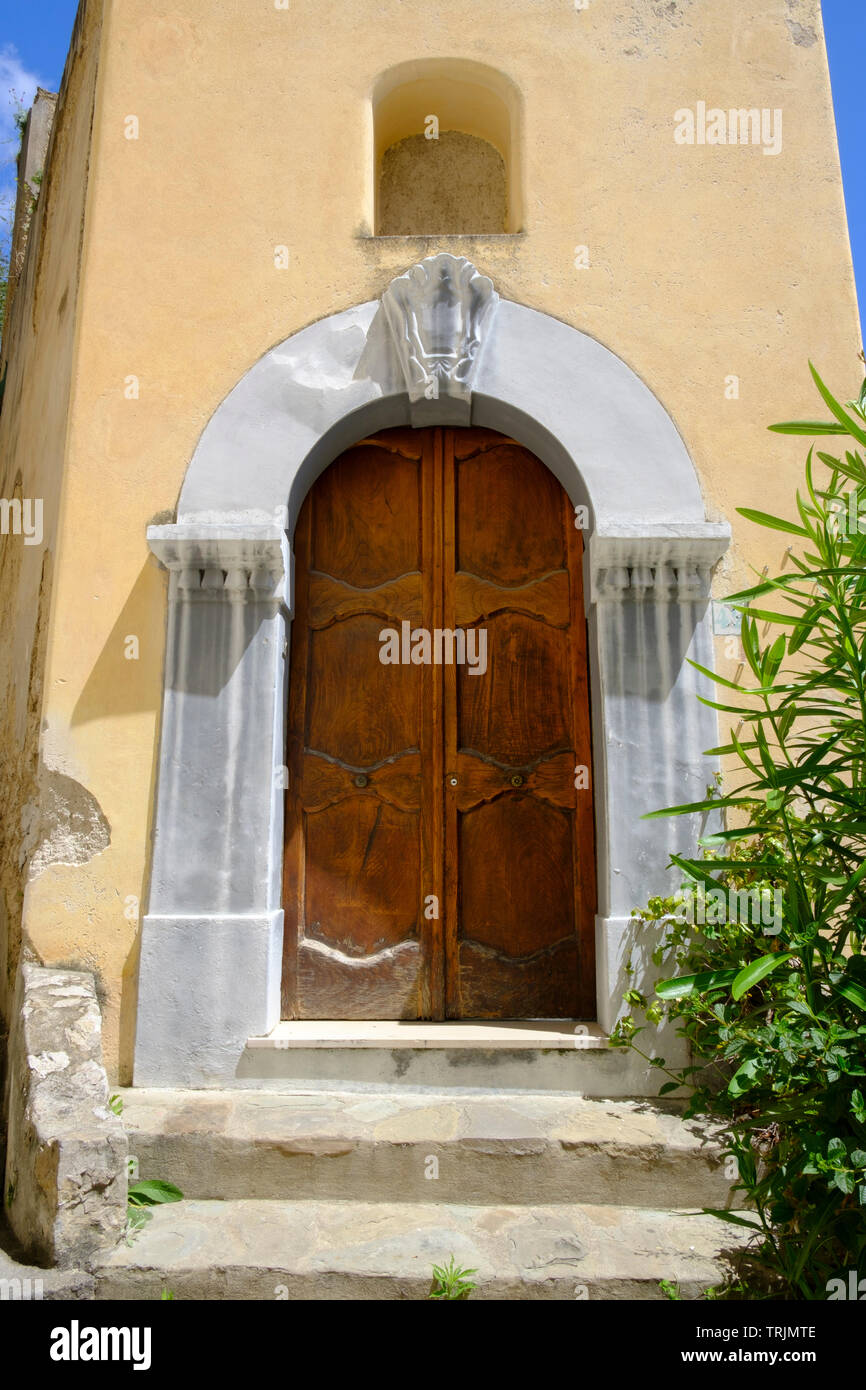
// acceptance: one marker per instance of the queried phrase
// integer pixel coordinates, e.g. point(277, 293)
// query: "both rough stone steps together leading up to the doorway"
point(348, 1195)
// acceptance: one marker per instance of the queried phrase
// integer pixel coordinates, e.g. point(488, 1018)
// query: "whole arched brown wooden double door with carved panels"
point(440, 849)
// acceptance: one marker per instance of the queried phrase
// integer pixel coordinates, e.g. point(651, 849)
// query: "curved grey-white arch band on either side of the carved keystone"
point(569, 400)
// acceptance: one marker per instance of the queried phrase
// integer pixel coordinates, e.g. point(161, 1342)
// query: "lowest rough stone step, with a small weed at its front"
point(272, 1250)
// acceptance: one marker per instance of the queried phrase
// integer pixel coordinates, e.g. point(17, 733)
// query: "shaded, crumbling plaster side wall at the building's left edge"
point(40, 344)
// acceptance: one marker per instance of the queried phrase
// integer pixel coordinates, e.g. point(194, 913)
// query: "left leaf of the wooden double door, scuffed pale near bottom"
point(362, 765)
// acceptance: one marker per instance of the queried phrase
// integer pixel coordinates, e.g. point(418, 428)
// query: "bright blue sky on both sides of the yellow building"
point(35, 37)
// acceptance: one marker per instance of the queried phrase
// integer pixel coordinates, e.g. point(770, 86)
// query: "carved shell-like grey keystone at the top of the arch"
point(439, 313)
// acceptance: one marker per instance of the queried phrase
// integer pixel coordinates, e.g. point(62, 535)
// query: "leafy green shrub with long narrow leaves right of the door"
point(776, 1013)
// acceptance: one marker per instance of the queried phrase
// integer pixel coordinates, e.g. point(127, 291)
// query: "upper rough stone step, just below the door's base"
point(425, 1149)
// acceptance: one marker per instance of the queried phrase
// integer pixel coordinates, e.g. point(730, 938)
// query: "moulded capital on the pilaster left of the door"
point(226, 562)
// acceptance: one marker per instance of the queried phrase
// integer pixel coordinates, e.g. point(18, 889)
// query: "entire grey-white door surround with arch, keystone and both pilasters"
point(211, 961)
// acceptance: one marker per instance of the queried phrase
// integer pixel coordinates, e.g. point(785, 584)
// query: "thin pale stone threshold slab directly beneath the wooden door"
point(533, 1035)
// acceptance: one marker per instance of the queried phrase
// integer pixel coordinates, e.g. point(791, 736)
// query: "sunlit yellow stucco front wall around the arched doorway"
point(256, 131)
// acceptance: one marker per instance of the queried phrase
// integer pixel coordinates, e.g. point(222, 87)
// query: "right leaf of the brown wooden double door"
point(515, 857)
